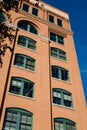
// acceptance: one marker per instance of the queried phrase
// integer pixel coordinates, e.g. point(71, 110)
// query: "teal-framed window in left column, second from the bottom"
point(22, 86)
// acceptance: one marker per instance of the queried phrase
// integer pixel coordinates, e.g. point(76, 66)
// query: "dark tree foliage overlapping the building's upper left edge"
point(6, 31)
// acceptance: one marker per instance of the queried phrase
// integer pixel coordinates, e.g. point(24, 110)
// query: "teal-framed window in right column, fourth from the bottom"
point(58, 53)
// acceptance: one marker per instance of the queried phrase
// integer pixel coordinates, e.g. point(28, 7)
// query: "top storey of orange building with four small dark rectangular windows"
point(45, 13)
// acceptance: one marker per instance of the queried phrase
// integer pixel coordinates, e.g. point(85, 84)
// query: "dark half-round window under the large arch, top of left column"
point(25, 25)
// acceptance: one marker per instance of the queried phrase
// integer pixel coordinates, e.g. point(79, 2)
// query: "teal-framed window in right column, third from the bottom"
point(60, 73)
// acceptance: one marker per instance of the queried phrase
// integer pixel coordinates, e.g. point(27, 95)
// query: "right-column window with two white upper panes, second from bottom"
point(62, 97)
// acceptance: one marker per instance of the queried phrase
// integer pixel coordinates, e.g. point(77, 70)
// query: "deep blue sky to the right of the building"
point(77, 10)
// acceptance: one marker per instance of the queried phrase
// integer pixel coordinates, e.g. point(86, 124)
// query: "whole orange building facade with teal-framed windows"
point(41, 88)
